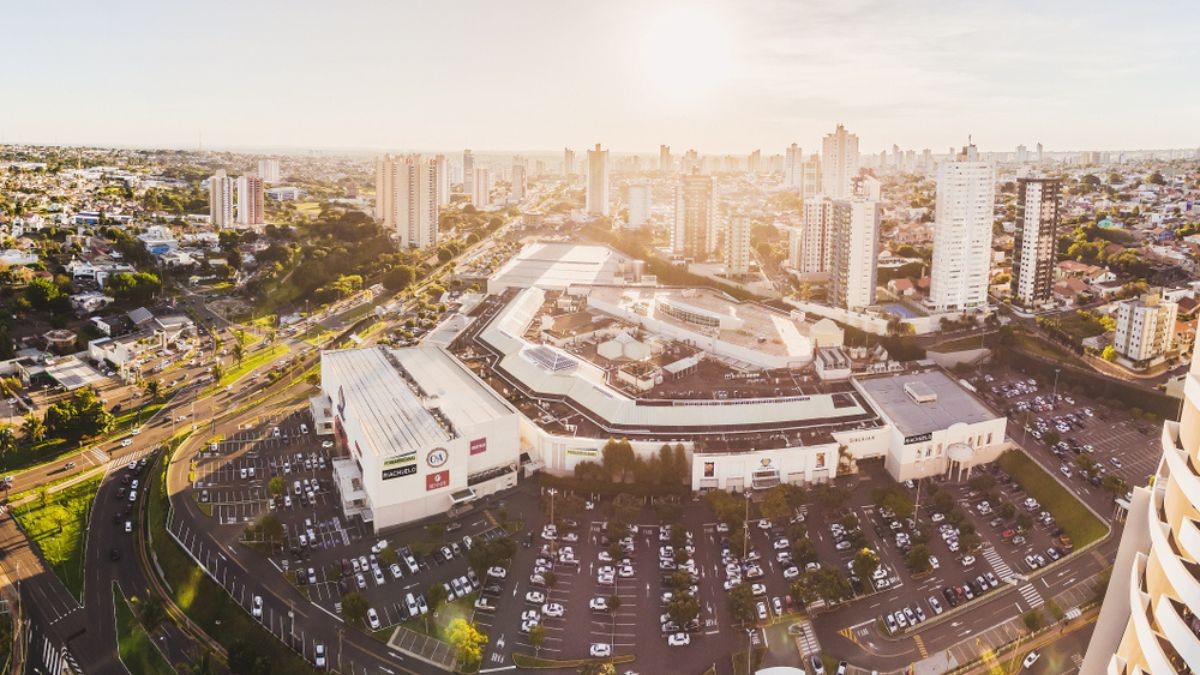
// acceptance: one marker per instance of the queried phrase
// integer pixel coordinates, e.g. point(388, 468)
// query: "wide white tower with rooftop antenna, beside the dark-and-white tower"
point(963, 223)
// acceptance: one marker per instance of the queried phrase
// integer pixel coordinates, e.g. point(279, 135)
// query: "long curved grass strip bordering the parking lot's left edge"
point(205, 602)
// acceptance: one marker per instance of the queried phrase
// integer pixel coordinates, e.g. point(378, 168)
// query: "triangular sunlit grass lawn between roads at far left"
point(61, 528)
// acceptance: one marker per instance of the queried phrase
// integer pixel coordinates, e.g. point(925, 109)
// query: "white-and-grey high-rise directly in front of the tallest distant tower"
point(855, 247)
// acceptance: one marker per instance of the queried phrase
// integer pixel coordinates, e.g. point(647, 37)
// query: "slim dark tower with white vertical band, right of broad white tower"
point(1034, 248)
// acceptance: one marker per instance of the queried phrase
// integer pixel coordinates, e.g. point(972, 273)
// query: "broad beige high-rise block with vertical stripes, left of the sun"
point(407, 199)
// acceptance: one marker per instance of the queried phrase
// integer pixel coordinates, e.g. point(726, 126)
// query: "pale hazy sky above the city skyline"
point(525, 75)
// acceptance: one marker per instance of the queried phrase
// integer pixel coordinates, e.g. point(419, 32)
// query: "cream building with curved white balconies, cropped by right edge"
point(1148, 623)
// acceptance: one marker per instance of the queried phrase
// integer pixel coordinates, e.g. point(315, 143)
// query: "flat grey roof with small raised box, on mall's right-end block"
point(945, 403)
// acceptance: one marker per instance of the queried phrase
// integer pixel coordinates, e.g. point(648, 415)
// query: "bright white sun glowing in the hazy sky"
point(686, 53)
